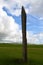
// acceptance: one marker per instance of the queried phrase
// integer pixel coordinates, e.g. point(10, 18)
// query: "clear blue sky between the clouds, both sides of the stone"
point(33, 23)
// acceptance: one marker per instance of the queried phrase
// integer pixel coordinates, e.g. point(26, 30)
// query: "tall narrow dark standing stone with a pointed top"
point(23, 17)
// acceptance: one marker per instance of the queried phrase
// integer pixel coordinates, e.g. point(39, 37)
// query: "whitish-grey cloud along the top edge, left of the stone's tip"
point(12, 4)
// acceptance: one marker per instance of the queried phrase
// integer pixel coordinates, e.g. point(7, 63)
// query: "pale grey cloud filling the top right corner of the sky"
point(37, 7)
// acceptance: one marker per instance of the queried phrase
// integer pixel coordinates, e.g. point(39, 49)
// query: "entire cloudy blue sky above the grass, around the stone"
point(11, 24)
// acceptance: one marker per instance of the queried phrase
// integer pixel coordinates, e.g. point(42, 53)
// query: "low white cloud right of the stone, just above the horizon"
point(34, 38)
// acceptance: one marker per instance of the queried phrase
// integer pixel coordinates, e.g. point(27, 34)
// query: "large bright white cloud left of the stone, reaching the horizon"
point(9, 29)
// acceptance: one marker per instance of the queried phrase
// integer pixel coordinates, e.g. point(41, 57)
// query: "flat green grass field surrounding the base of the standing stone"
point(11, 54)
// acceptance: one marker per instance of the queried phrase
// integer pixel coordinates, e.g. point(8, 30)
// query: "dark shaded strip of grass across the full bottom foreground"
point(17, 61)
